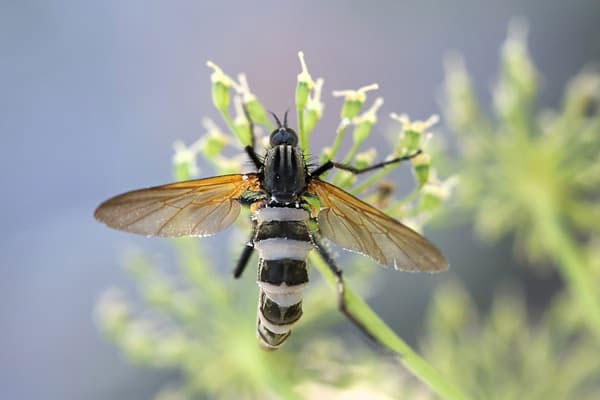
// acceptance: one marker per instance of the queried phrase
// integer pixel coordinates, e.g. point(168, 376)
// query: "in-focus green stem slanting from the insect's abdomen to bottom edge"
point(386, 337)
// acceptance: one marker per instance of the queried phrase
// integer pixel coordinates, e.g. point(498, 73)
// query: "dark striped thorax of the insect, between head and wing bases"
point(284, 173)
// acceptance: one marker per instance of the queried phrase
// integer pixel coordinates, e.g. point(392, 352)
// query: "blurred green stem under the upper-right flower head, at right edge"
point(573, 269)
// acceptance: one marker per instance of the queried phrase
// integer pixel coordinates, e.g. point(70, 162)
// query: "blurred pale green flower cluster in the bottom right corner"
point(506, 355)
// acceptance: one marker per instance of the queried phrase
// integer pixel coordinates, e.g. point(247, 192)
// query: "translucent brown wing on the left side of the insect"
point(193, 208)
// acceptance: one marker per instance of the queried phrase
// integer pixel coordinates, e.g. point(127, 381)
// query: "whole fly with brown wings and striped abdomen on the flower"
point(276, 194)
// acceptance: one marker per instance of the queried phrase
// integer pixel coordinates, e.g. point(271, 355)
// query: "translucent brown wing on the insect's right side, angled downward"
point(357, 226)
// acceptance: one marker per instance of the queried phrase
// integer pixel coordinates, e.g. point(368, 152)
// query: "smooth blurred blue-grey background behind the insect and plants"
point(93, 94)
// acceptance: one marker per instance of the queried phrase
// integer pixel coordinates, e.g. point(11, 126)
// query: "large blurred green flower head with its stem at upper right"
point(533, 174)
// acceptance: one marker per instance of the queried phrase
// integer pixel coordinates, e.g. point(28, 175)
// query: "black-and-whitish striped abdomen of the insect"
point(283, 242)
